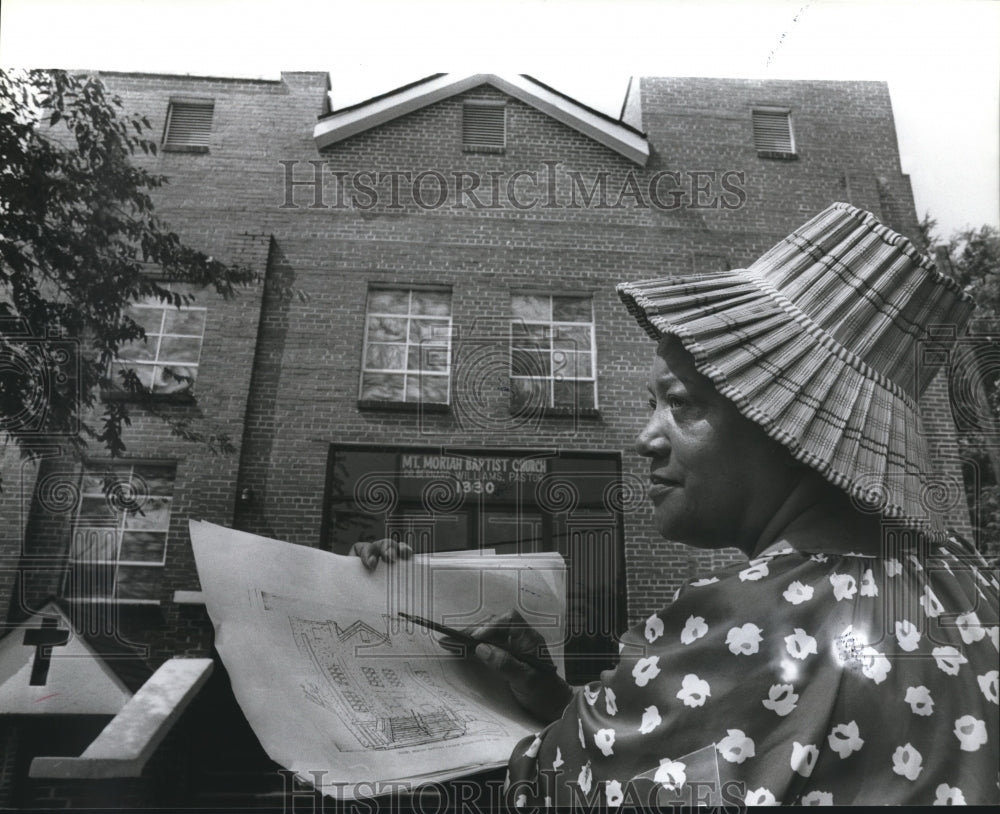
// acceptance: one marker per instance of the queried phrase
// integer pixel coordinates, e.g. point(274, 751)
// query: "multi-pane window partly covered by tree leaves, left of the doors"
point(167, 361)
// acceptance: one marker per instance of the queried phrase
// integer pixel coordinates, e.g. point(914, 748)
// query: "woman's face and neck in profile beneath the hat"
point(716, 478)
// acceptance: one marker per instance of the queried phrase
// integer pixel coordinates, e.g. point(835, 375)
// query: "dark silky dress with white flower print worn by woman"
point(796, 678)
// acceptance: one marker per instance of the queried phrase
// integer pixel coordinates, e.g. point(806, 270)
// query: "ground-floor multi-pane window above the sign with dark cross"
point(119, 543)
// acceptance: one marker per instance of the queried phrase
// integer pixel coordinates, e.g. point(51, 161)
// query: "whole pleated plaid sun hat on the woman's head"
point(817, 342)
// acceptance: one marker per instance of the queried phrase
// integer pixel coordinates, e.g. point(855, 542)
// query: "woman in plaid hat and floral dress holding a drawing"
point(853, 659)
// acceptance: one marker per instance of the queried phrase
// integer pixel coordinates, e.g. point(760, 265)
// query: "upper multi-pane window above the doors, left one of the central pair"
point(407, 351)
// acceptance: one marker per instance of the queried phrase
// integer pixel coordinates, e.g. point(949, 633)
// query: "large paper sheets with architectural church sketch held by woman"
point(343, 691)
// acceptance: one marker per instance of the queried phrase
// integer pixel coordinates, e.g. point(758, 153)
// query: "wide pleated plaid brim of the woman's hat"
point(785, 373)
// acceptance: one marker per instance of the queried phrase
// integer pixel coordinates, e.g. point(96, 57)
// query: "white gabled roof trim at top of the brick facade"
point(618, 137)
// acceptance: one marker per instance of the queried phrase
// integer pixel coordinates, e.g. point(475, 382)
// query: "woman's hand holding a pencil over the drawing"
point(543, 693)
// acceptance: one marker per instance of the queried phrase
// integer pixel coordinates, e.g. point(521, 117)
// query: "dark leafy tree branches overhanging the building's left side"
point(79, 236)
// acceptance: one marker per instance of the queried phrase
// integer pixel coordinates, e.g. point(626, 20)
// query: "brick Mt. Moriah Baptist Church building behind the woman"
point(436, 352)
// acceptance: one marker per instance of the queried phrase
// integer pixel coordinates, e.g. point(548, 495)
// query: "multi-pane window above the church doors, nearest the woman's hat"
point(552, 352)
